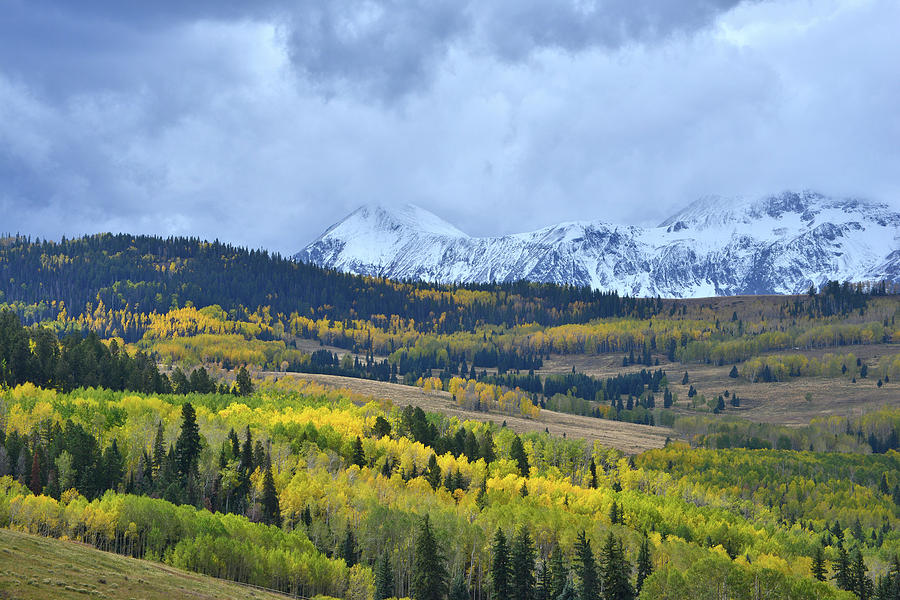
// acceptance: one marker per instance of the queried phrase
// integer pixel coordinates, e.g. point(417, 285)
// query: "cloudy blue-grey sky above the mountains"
point(262, 123)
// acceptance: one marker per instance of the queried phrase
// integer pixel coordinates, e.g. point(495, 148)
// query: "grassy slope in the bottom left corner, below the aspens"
point(38, 568)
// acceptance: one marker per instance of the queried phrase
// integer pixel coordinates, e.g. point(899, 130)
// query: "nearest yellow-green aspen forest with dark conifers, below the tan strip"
point(308, 491)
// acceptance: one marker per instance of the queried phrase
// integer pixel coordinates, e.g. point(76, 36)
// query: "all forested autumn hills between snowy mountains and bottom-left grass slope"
point(145, 409)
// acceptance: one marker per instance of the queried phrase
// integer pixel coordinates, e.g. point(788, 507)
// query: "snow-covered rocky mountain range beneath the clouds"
point(774, 245)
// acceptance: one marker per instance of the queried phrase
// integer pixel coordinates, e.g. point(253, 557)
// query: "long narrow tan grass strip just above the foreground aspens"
point(627, 437)
